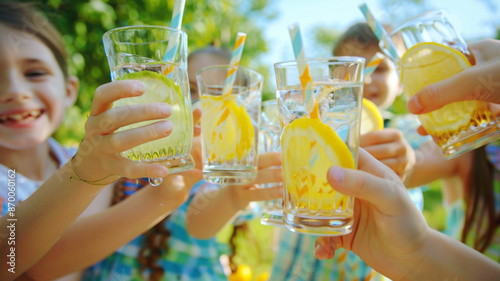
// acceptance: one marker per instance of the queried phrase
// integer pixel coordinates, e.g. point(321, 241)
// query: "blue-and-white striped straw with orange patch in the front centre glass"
point(304, 74)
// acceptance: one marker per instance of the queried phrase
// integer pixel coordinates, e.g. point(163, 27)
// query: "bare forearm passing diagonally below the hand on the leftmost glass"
point(93, 238)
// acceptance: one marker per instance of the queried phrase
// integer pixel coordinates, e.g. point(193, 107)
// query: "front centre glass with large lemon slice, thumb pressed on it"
point(311, 144)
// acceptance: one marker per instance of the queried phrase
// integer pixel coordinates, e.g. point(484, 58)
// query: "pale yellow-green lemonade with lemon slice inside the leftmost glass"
point(159, 89)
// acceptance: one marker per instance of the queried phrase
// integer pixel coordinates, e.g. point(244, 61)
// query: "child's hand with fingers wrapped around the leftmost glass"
point(98, 157)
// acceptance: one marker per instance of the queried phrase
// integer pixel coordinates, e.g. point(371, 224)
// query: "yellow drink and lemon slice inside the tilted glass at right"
point(456, 124)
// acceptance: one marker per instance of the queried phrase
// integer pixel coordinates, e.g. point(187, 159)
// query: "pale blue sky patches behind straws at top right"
point(474, 19)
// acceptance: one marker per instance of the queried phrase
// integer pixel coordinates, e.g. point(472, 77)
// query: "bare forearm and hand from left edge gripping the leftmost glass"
point(48, 212)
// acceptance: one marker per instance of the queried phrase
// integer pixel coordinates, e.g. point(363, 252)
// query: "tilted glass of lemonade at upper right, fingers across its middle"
point(431, 50)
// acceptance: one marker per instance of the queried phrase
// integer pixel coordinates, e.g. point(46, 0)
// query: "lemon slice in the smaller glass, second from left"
point(227, 130)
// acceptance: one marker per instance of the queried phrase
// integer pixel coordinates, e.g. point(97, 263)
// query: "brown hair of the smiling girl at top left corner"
point(26, 18)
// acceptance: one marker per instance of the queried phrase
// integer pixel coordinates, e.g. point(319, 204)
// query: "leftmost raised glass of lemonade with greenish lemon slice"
point(138, 53)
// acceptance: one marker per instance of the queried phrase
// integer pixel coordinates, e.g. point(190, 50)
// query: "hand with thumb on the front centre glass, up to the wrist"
point(388, 228)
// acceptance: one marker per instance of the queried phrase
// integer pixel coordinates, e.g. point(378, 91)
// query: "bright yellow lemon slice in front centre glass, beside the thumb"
point(310, 148)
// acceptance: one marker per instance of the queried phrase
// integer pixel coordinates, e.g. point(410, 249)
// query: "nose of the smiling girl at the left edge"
point(14, 89)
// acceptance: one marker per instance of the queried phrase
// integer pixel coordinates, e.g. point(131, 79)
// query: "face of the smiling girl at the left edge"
point(33, 91)
